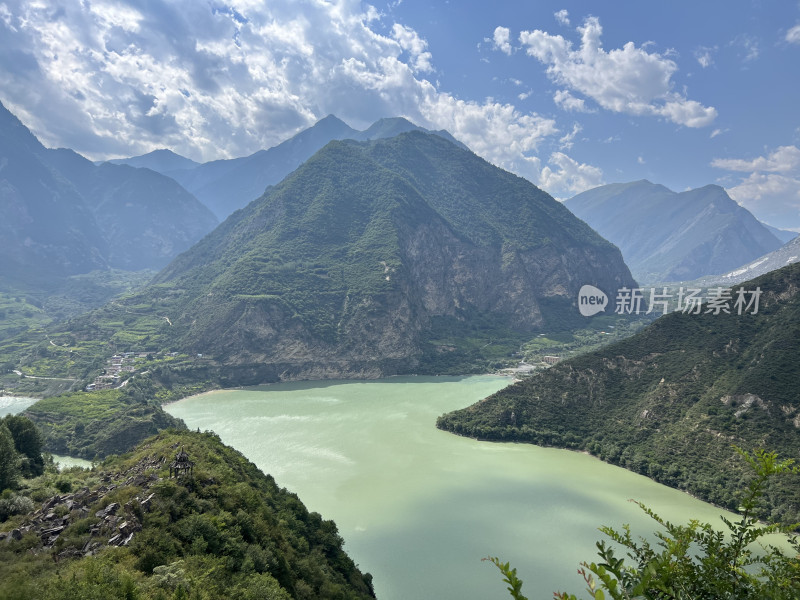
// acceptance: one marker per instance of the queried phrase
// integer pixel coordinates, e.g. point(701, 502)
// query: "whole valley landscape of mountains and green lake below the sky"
point(398, 330)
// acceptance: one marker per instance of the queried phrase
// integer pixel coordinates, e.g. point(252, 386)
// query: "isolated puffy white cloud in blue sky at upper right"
point(627, 80)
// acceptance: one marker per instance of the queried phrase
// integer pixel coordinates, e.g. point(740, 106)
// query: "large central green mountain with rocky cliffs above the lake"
point(376, 258)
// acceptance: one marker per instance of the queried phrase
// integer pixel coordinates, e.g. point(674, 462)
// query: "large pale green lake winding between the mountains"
point(418, 508)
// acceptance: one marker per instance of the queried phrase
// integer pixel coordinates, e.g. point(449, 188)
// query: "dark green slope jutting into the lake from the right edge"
point(673, 400)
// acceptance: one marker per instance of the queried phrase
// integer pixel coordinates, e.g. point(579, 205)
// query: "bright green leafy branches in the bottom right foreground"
point(695, 560)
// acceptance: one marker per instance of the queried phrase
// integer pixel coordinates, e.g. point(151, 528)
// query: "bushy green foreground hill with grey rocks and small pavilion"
point(134, 528)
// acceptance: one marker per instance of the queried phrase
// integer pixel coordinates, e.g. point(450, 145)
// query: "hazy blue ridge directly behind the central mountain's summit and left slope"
point(228, 185)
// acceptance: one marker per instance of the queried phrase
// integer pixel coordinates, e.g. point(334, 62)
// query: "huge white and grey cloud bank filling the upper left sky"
point(212, 81)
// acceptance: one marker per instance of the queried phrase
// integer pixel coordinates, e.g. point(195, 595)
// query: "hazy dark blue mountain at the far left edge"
point(64, 216)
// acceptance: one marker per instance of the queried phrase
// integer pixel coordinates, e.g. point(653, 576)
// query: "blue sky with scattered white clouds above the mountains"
point(569, 95)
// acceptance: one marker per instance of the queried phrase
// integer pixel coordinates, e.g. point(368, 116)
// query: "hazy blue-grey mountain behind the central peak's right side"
point(669, 236)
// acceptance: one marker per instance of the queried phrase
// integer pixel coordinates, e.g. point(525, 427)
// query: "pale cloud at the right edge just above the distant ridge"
point(771, 190)
